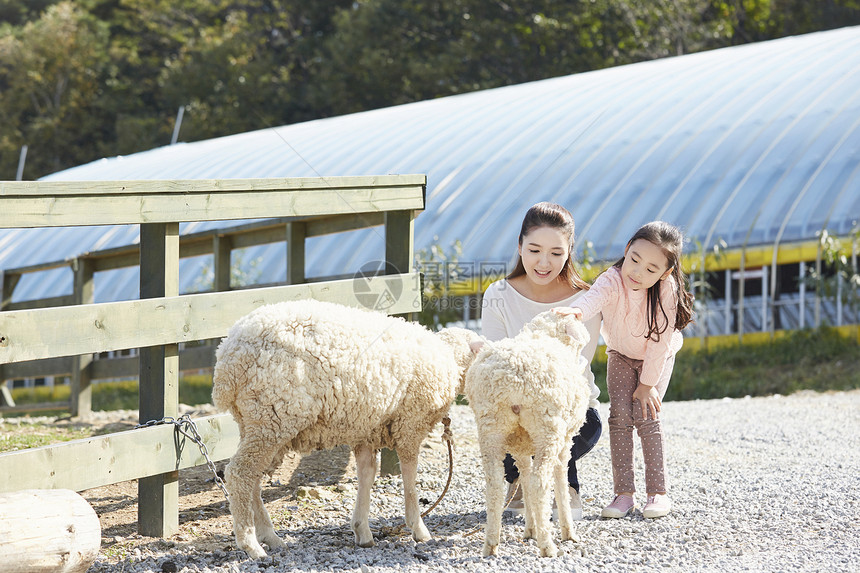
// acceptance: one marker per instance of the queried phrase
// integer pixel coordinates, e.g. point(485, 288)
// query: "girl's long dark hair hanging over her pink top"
point(670, 240)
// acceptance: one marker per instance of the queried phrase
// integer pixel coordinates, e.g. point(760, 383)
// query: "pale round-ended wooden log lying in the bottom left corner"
point(47, 531)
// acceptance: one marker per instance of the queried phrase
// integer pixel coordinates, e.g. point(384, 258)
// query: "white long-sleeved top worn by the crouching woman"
point(504, 311)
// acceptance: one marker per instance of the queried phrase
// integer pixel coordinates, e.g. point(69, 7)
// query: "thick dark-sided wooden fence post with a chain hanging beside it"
point(158, 496)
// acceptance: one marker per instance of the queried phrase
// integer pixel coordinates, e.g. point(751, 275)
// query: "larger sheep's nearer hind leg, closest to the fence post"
point(243, 475)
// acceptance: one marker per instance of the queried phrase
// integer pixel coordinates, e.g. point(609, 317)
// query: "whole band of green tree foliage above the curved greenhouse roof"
point(93, 78)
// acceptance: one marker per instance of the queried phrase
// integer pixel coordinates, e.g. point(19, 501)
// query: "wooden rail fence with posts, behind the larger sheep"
point(161, 318)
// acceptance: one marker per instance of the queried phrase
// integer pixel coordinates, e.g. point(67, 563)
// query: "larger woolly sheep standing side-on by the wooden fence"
point(307, 375)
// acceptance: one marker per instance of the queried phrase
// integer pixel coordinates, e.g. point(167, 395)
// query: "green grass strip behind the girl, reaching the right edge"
point(819, 359)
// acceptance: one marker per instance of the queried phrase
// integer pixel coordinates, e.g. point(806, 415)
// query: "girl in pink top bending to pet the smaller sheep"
point(645, 305)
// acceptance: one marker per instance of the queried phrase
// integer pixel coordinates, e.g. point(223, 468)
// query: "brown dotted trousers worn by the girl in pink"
point(622, 378)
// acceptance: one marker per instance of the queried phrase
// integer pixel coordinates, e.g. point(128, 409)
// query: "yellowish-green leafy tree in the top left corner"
point(50, 90)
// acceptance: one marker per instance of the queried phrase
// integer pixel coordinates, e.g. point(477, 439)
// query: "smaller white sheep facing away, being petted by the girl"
point(530, 395)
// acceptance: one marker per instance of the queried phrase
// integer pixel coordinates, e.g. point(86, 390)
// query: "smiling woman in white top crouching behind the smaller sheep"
point(544, 278)
